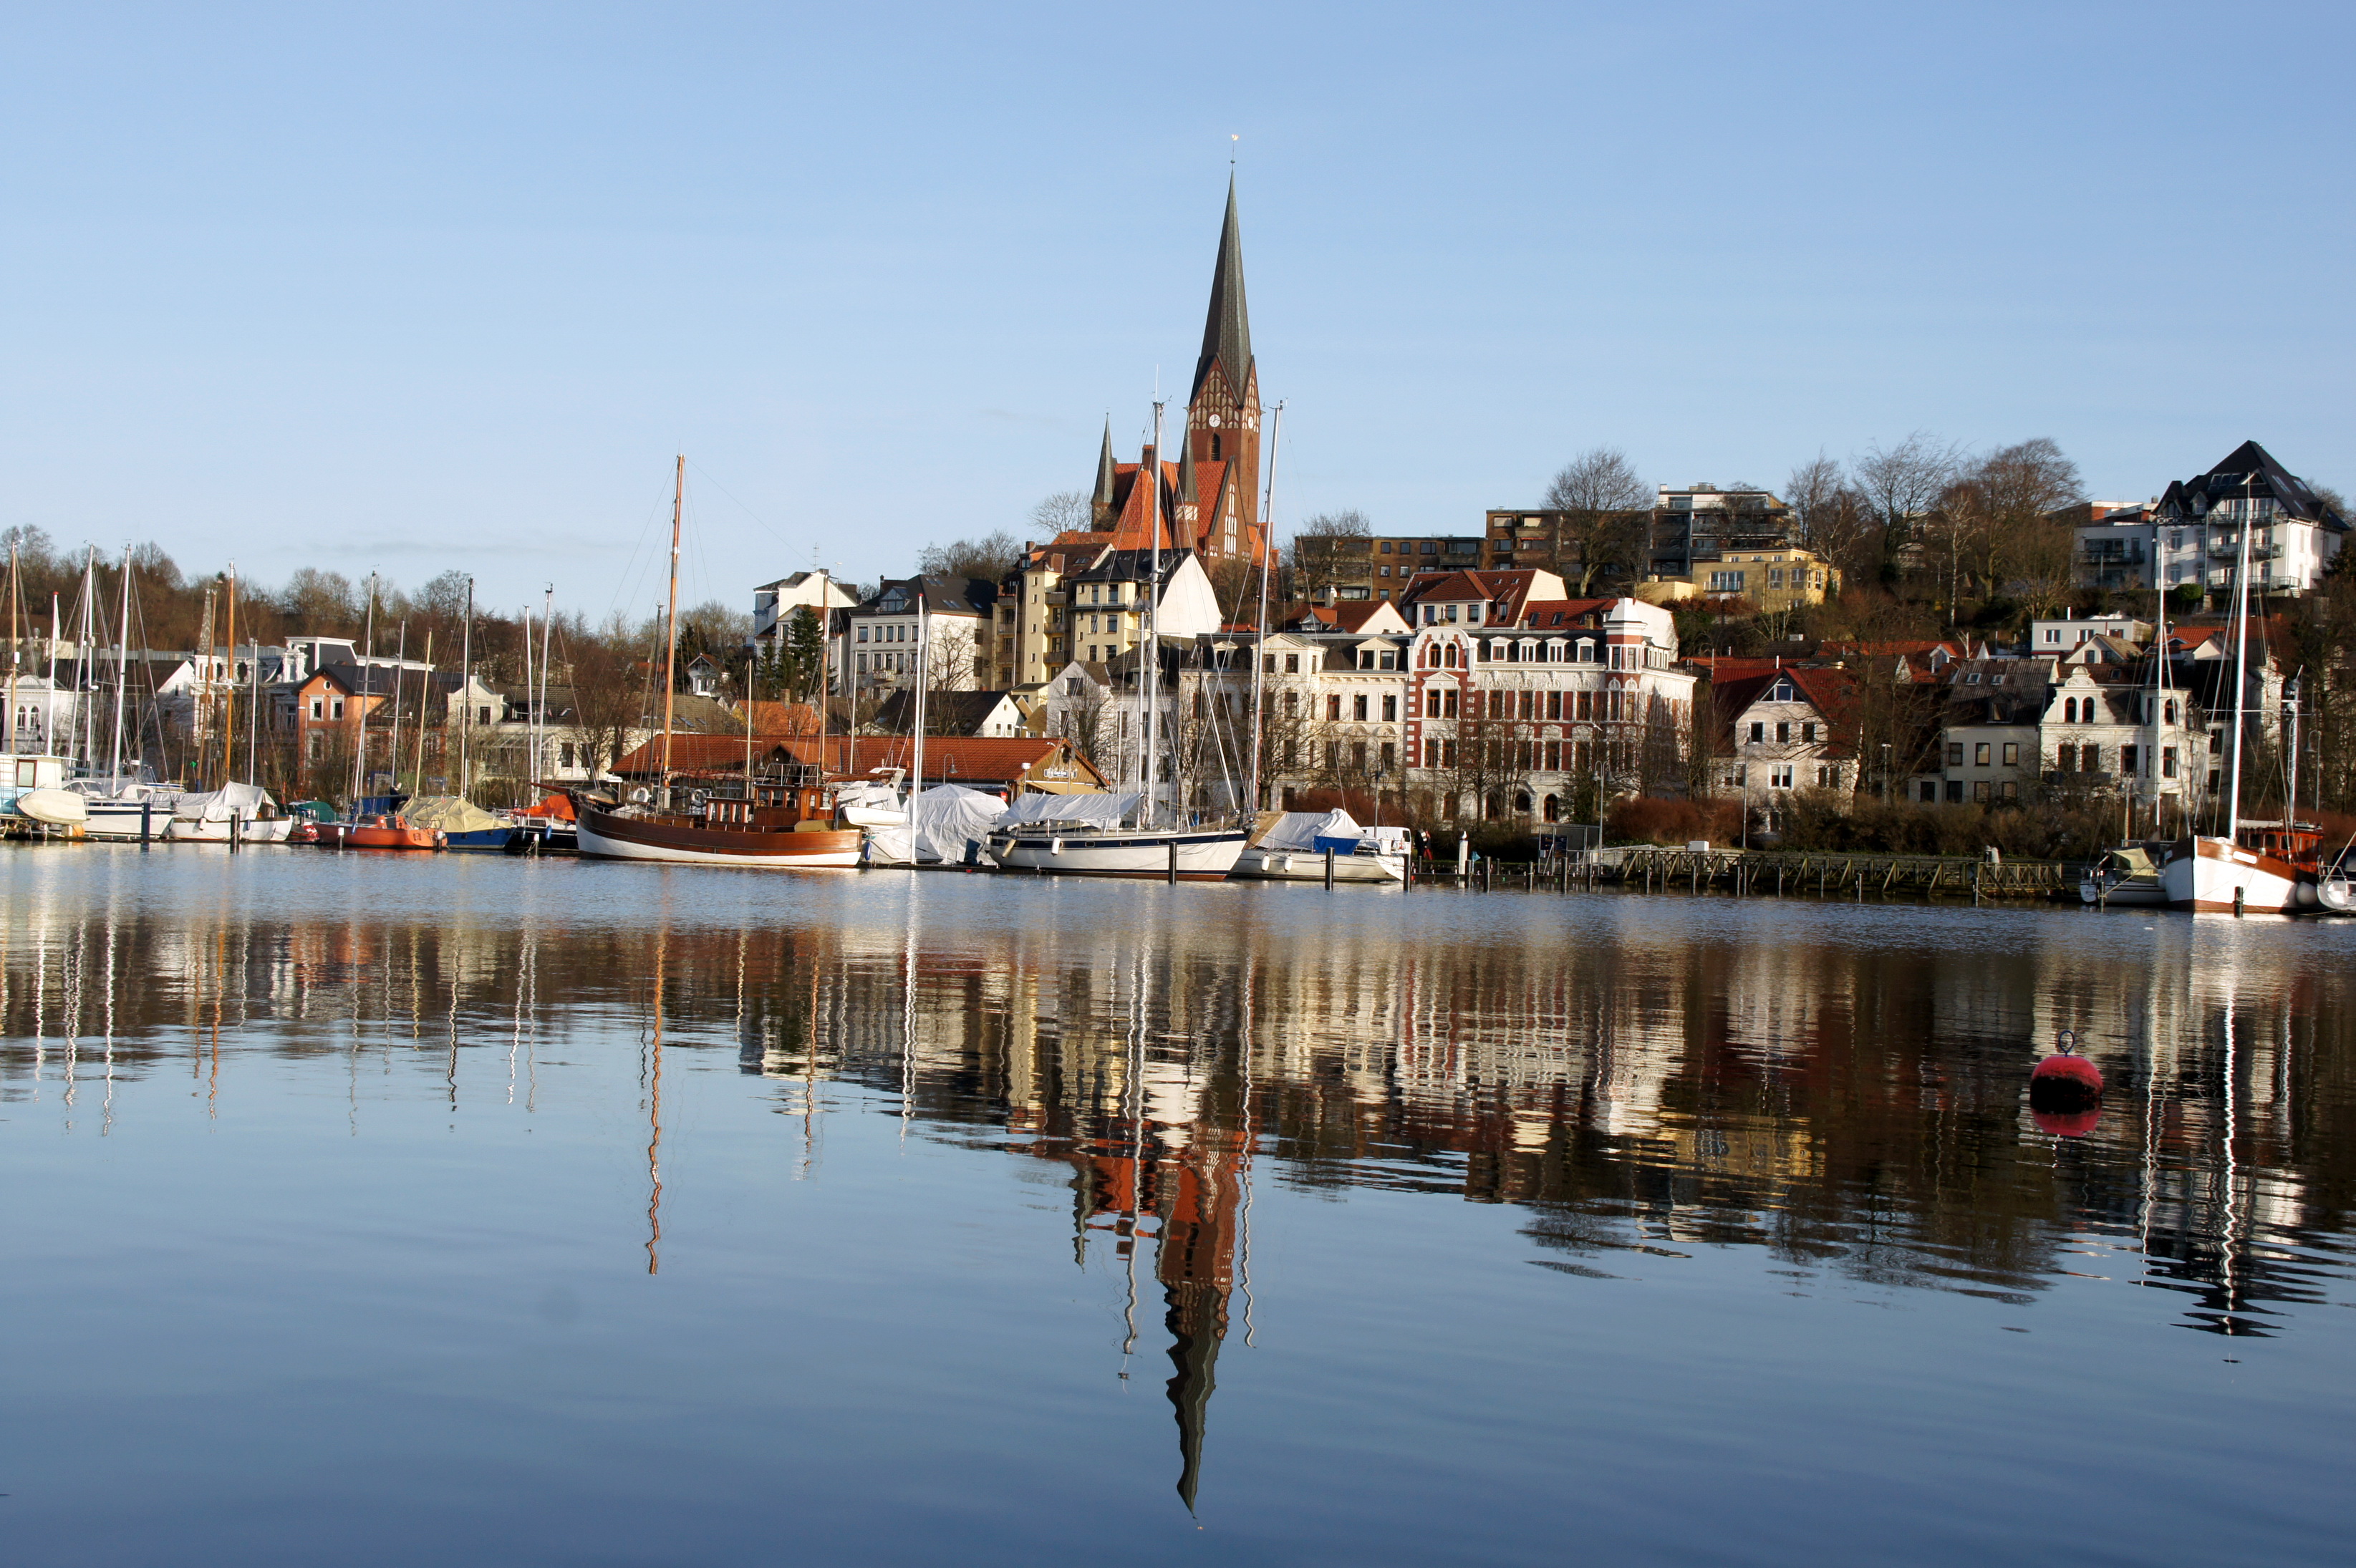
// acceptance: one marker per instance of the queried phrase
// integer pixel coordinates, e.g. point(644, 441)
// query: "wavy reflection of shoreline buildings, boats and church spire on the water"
point(1643, 1087)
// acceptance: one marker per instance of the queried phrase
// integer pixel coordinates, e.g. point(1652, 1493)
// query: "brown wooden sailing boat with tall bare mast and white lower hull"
point(783, 823)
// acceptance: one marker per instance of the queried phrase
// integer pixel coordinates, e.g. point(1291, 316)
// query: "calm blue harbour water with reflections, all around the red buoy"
point(479, 1211)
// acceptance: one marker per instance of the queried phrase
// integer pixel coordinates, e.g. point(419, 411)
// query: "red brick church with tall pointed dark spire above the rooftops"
point(1210, 500)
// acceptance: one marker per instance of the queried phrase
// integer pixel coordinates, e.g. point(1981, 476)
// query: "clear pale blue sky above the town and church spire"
point(428, 288)
